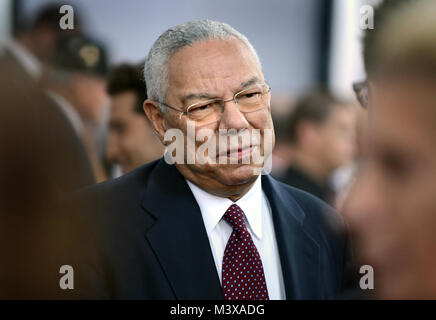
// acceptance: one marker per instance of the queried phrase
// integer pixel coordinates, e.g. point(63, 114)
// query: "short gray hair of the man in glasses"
point(175, 38)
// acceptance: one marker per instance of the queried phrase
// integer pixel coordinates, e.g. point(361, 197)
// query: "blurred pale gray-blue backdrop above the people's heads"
point(300, 42)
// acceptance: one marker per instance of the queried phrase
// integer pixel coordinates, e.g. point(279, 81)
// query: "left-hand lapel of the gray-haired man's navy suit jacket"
point(178, 237)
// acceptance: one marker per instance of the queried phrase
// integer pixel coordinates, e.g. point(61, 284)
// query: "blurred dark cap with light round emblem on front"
point(80, 53)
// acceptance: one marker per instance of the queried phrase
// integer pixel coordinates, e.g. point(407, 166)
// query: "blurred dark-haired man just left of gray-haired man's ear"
point(132, 141)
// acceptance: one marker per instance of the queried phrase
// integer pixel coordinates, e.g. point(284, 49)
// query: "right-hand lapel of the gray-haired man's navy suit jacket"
point(299, 252)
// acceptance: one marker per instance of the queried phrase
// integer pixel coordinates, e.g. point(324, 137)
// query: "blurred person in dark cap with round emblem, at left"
point(75, 81)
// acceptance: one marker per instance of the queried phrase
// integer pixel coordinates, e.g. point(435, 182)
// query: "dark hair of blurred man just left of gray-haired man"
point(126, 77)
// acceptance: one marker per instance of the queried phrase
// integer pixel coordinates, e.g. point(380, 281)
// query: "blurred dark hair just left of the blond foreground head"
point(381, 13)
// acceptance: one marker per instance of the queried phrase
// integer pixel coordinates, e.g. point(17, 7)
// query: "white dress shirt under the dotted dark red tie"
point(259, 224)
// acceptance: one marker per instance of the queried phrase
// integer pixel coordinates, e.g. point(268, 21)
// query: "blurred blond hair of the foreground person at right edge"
point(406, 45)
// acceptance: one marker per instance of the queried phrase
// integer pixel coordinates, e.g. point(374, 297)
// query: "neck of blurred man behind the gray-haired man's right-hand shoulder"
point(310, 165)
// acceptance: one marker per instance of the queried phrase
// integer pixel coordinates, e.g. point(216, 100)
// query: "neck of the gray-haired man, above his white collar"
point(215, 187)
